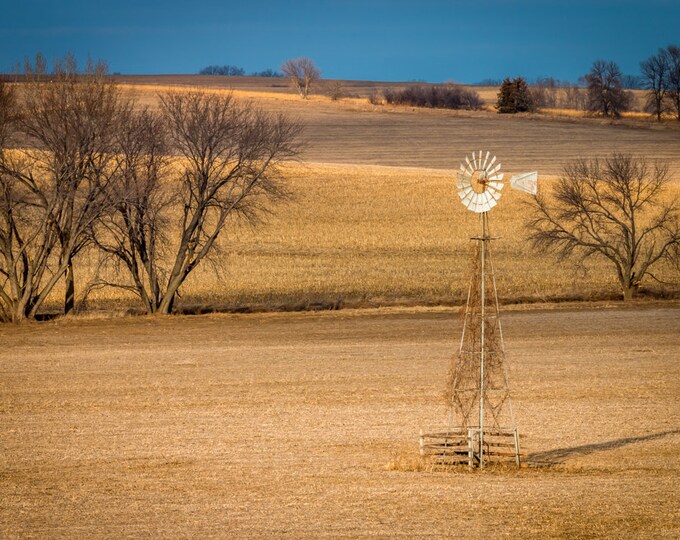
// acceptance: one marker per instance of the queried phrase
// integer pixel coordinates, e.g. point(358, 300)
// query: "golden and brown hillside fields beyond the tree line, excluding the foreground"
point(373, 218)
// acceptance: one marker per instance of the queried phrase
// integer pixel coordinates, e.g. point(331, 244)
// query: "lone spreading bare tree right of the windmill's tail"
point(613, 209)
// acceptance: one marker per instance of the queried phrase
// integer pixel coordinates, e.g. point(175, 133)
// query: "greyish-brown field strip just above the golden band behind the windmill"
point(436, 139)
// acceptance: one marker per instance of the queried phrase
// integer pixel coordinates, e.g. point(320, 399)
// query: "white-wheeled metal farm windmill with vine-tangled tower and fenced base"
point(481, 426)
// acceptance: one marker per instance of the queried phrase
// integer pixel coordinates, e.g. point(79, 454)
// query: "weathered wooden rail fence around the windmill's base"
point(461, 446)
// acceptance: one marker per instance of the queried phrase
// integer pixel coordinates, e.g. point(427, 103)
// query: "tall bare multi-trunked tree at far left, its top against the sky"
point(69, 122)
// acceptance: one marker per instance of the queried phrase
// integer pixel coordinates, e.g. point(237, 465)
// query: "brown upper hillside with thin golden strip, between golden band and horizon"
point(352, 131)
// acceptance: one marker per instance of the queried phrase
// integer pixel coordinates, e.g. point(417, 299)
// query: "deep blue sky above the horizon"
point(376, 40)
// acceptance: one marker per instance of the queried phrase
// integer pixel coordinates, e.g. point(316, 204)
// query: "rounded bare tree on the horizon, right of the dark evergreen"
point(605, 91)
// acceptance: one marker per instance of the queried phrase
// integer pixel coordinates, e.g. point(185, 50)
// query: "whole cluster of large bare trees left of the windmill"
point(152, 190)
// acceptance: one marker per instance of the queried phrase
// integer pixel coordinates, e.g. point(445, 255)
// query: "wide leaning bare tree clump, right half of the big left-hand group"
point(228, 168)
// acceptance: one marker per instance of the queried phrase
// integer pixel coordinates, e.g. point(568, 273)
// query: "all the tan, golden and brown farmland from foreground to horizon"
point(286, 395)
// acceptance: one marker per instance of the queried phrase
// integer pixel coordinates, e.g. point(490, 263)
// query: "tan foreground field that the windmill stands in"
point(293, 425)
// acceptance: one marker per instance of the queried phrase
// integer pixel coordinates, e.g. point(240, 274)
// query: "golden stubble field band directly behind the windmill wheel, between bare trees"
point(361, 236)
